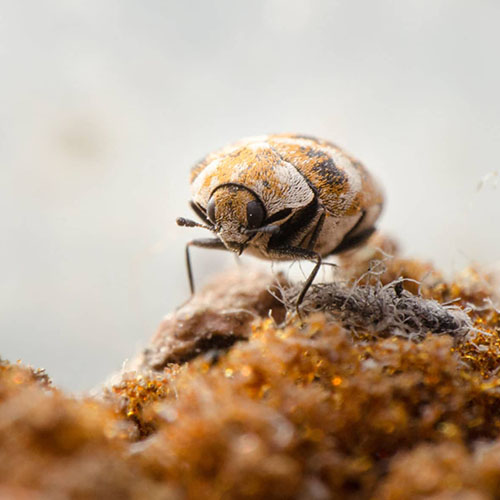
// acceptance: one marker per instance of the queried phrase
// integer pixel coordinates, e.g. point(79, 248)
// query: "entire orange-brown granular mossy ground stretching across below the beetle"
point(314, 410)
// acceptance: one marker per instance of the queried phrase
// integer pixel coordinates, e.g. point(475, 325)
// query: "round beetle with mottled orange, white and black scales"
point(283, 197)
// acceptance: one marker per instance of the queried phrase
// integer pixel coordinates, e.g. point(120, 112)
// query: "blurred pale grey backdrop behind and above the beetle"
point(105, 105)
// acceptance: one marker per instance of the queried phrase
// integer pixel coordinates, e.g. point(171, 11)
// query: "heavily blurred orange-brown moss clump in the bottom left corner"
point(55, 446)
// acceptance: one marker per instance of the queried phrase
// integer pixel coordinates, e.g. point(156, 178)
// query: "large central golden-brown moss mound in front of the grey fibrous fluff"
point(314, 407)
